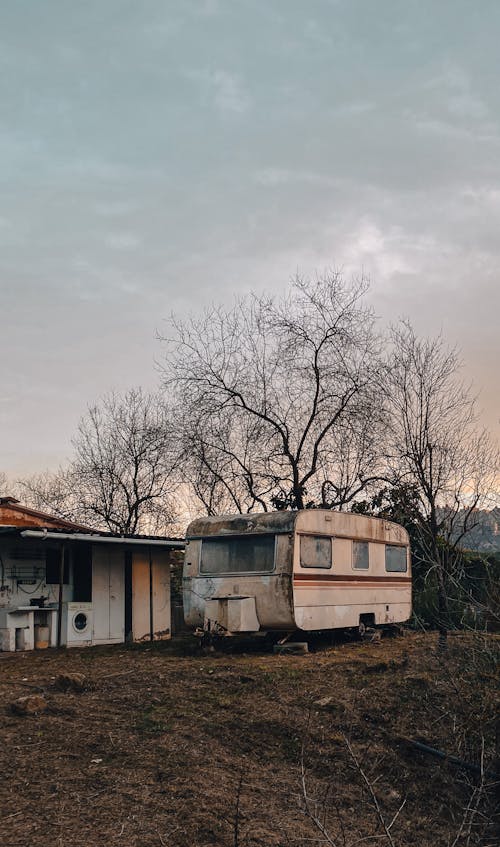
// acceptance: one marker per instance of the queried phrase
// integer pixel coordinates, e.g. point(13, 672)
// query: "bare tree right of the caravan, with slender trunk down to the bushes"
point(437, 448)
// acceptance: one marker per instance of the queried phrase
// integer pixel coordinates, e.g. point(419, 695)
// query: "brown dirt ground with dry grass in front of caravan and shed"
point(168, 745)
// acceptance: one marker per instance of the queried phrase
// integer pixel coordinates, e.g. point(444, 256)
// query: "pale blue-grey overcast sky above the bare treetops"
point(158, 155)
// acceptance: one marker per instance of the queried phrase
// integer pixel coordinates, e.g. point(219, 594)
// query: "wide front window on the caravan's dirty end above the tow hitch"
point(237, 554)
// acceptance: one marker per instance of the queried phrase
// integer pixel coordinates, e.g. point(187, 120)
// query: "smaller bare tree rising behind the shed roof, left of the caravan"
point(122, 474)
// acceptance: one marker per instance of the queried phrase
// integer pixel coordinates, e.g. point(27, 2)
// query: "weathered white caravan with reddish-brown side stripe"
point(307, 570)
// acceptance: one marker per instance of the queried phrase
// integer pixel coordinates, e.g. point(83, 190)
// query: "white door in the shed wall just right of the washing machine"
point(108, 594)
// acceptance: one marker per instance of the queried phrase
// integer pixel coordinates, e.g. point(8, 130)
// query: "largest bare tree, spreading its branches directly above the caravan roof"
point(275, 397)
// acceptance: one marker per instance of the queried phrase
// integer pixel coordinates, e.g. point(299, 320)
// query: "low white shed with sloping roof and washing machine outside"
point(63, 583)
